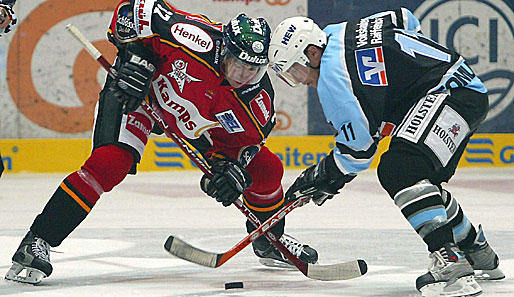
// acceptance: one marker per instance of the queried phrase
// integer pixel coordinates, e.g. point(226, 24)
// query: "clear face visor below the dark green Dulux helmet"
point(239, 73)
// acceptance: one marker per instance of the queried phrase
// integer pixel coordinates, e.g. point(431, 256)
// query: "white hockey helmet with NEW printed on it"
point(289, 43)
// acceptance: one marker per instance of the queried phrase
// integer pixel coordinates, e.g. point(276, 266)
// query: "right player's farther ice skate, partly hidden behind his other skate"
point(483, 259)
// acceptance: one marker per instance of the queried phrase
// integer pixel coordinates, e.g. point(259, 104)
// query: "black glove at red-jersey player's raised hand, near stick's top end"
point(135, 74)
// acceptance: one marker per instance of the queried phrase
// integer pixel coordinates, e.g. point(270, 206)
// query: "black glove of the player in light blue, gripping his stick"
point(321, 181)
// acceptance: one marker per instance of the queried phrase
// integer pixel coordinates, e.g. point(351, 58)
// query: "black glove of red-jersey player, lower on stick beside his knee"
point(229, 181)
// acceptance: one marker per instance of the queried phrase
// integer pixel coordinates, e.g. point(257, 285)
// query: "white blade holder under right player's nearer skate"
point(463, 287)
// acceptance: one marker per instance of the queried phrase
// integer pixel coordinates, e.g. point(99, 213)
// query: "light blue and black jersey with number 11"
point(373, 71)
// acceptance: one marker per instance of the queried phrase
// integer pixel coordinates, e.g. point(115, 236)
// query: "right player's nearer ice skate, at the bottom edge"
point(449, 275)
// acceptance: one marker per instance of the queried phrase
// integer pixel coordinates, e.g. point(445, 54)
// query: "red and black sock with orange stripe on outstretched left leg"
point(78, 193)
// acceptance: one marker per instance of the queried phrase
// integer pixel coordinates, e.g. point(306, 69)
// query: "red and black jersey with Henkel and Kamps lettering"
point(189, 83)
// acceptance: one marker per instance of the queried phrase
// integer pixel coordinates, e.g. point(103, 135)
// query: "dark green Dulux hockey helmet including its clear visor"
point(246, 41)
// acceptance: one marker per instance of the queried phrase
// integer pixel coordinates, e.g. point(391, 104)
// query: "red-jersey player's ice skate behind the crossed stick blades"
point(270, 256)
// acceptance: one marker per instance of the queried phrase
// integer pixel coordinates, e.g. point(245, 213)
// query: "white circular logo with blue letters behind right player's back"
point(483, 33)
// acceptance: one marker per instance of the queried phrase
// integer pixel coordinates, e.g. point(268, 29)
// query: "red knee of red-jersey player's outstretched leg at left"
point(109, 165)
